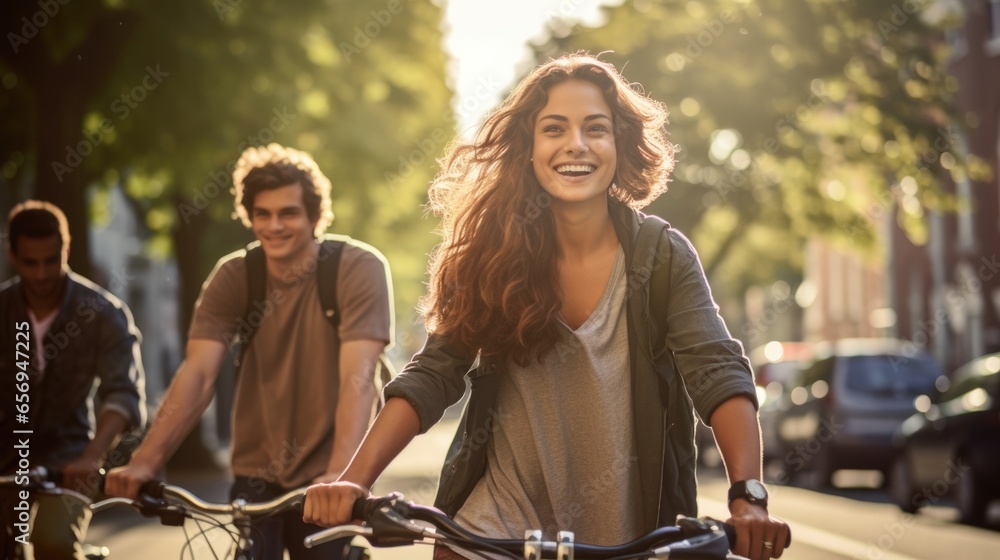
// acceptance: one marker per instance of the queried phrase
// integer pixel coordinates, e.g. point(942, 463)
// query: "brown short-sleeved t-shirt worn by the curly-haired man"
point(286, 397)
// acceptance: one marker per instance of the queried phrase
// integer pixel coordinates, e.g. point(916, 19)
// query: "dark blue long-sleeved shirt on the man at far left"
point(93, 337)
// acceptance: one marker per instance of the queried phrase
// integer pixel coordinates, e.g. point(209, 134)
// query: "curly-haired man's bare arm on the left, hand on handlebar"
point(186, 400)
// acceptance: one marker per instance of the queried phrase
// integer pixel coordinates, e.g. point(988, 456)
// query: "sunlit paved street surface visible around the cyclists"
point(854, 523)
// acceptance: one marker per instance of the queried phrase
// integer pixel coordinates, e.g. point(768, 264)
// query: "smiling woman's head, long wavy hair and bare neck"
point(578, 112)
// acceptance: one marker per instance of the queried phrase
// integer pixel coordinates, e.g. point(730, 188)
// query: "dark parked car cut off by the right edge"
point(952, 448)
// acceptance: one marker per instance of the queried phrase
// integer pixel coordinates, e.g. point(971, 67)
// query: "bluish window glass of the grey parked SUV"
point(891, 375)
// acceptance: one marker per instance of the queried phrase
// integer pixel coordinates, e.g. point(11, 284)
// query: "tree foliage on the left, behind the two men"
point(161, 96)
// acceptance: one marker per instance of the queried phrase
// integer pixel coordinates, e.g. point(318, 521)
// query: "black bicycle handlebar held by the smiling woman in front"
point(390, 522)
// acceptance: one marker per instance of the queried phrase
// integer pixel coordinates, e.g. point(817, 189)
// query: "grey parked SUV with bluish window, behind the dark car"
point(842, 411)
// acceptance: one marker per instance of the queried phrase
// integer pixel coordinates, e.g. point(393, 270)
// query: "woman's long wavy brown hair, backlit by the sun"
point(493, 286)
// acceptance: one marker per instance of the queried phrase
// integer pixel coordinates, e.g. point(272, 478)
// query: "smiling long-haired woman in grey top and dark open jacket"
point(540, 280)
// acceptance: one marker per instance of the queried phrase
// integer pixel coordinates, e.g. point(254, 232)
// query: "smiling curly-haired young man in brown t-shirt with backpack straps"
point(305, 389)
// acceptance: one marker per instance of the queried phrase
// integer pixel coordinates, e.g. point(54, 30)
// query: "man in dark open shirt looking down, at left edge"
point(72, 333)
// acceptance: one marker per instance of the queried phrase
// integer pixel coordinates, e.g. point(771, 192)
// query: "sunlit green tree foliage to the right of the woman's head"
point(793, 118)
